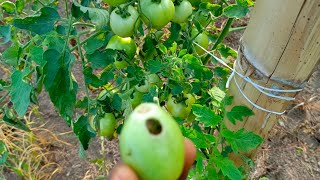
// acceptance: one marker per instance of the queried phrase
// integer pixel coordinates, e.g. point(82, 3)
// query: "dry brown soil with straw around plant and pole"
point(292, 150)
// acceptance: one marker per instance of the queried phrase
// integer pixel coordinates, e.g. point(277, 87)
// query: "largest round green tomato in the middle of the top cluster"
point(158, 14)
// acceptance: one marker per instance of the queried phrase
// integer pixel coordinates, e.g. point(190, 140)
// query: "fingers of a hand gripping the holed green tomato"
point(124, 172)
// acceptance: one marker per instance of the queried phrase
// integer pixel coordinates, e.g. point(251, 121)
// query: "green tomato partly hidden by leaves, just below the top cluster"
point(126, 45)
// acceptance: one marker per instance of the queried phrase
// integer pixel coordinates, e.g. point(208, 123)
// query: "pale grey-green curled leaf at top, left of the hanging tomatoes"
point(98, 16)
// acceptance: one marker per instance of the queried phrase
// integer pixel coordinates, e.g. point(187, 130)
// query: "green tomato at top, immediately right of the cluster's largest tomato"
point(182, 12)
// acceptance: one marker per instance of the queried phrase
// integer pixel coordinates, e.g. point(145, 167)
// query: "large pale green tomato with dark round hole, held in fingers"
point(152, 144)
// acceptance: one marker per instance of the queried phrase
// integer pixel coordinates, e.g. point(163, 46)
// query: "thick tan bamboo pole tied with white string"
point(279, 49)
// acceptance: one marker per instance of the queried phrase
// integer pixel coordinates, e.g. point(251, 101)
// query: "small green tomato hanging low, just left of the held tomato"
point(107, 125)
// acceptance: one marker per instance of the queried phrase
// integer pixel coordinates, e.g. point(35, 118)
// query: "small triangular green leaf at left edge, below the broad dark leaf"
point(12, 54)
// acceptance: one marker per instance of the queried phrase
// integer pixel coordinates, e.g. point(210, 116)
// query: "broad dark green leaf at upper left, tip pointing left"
point(39, 23)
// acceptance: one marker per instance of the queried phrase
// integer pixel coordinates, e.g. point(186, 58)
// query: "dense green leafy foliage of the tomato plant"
point(44, 44)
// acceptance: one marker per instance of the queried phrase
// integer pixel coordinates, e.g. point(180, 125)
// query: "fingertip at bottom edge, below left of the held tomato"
point(123, 172)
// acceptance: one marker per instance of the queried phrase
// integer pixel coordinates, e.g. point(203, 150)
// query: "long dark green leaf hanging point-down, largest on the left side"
point(59, 83)
